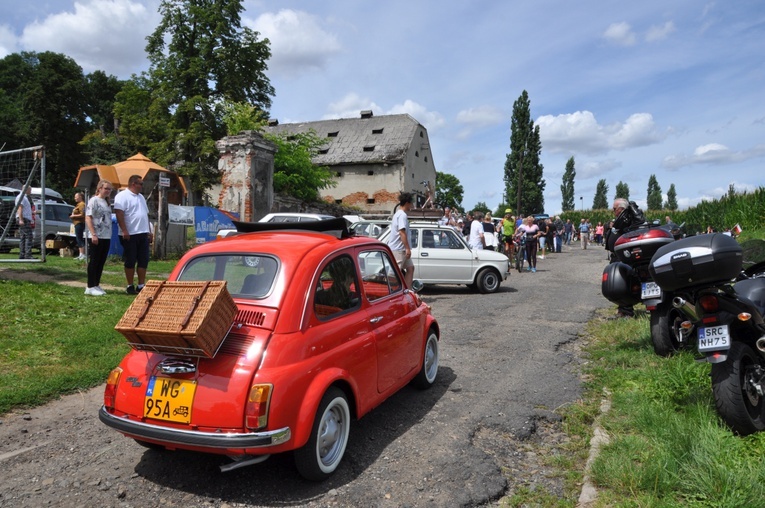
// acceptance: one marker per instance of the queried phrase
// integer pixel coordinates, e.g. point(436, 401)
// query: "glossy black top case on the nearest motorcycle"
point(697, 260)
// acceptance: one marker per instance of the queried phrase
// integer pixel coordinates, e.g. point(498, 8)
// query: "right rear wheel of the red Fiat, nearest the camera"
point(325, 448)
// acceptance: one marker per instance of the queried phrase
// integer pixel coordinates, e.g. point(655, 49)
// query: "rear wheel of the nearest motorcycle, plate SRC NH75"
point(734, 385)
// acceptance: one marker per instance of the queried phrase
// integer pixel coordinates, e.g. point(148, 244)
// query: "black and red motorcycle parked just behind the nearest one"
point(628, 281)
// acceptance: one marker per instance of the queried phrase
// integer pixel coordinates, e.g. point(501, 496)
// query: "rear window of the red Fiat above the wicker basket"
point(249, 276)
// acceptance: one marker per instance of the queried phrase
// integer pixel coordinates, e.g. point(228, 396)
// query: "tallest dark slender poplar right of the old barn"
point(522, 167)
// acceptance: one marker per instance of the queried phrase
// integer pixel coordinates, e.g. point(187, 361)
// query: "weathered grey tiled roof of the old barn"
point(359, 140)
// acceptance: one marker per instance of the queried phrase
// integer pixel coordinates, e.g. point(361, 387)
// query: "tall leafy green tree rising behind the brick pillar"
point(200, 58)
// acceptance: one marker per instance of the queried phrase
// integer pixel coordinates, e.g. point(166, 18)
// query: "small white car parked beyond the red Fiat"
point(441, 256)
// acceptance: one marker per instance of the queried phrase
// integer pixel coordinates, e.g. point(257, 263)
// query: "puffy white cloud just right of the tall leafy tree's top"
point(298, 42)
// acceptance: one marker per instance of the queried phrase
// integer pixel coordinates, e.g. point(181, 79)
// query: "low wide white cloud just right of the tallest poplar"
point(580, 132)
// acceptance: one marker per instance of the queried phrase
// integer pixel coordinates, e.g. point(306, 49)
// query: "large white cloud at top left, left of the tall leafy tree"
point(108, 35)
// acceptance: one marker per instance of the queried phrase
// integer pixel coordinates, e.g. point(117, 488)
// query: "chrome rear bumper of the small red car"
point(193, 437)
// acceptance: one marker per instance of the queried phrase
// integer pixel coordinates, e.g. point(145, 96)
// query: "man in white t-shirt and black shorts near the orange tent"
point(133, 219)
